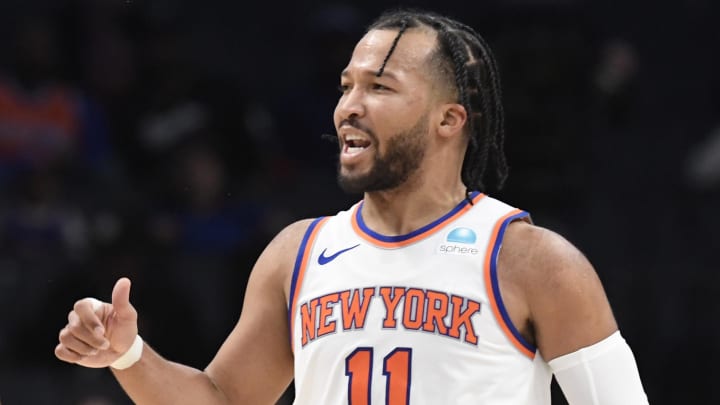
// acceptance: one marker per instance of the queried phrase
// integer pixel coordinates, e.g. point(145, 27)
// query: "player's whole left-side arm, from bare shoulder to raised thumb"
point(254, 365)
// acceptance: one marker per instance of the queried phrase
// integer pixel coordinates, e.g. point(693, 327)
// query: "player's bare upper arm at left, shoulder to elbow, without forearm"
point(255, 364)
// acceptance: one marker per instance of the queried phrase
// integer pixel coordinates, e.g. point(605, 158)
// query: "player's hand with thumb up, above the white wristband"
point(96, 337)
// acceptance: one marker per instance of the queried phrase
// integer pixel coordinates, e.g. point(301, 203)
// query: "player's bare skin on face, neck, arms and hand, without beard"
point(551, 292)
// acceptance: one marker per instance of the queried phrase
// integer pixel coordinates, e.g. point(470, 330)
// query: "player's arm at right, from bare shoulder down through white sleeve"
point(559, 303)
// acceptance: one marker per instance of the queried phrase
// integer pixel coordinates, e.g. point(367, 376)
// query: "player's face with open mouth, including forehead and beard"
point(382, 122)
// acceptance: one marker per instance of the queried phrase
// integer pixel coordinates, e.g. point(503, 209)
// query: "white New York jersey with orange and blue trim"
point(412, 319)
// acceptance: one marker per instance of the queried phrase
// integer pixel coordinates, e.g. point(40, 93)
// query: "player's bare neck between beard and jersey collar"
point(404, 209)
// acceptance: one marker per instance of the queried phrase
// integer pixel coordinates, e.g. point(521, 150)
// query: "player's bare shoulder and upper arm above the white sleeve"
point(564, 300)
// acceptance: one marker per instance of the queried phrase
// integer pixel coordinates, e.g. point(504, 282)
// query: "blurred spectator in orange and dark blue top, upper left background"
point(45, 122)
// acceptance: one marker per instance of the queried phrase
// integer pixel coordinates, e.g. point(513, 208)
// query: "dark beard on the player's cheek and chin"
point(402, 157)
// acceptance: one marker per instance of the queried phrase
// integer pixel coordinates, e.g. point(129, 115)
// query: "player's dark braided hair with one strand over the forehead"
point(465, 62)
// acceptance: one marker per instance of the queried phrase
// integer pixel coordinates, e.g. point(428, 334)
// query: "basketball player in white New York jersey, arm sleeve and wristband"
point(425, 292)
